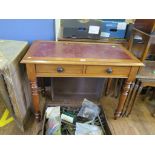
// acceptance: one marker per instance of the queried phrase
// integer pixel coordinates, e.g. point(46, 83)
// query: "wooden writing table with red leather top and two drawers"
point(74, 59)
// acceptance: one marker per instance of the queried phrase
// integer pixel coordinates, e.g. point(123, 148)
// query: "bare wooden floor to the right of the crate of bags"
point(139, 122)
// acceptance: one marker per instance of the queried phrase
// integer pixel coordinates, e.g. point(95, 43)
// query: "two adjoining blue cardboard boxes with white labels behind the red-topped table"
point(94, 28)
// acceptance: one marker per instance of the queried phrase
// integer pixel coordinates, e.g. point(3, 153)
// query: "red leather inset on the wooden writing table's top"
point(77, 50)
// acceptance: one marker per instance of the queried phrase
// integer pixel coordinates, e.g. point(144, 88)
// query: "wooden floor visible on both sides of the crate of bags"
point(140, 122)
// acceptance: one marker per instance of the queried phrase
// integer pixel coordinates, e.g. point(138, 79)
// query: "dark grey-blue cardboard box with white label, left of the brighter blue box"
point(81, 29)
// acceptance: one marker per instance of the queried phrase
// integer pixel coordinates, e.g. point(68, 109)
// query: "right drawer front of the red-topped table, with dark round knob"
point(108, 70)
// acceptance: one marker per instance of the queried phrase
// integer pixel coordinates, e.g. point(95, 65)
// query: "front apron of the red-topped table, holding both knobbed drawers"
point(57, 70)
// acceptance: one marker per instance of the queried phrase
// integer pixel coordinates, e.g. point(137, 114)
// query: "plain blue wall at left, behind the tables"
point(27, 29)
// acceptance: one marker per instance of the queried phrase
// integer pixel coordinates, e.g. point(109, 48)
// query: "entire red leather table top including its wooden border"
point(49, 51)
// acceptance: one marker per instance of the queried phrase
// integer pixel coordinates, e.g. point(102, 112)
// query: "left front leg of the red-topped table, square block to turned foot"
point(34, 89)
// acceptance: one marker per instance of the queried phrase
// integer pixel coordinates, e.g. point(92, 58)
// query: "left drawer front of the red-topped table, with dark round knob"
point(59, 69)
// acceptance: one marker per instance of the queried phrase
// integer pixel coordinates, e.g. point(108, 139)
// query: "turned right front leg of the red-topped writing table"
point(122, 99)
